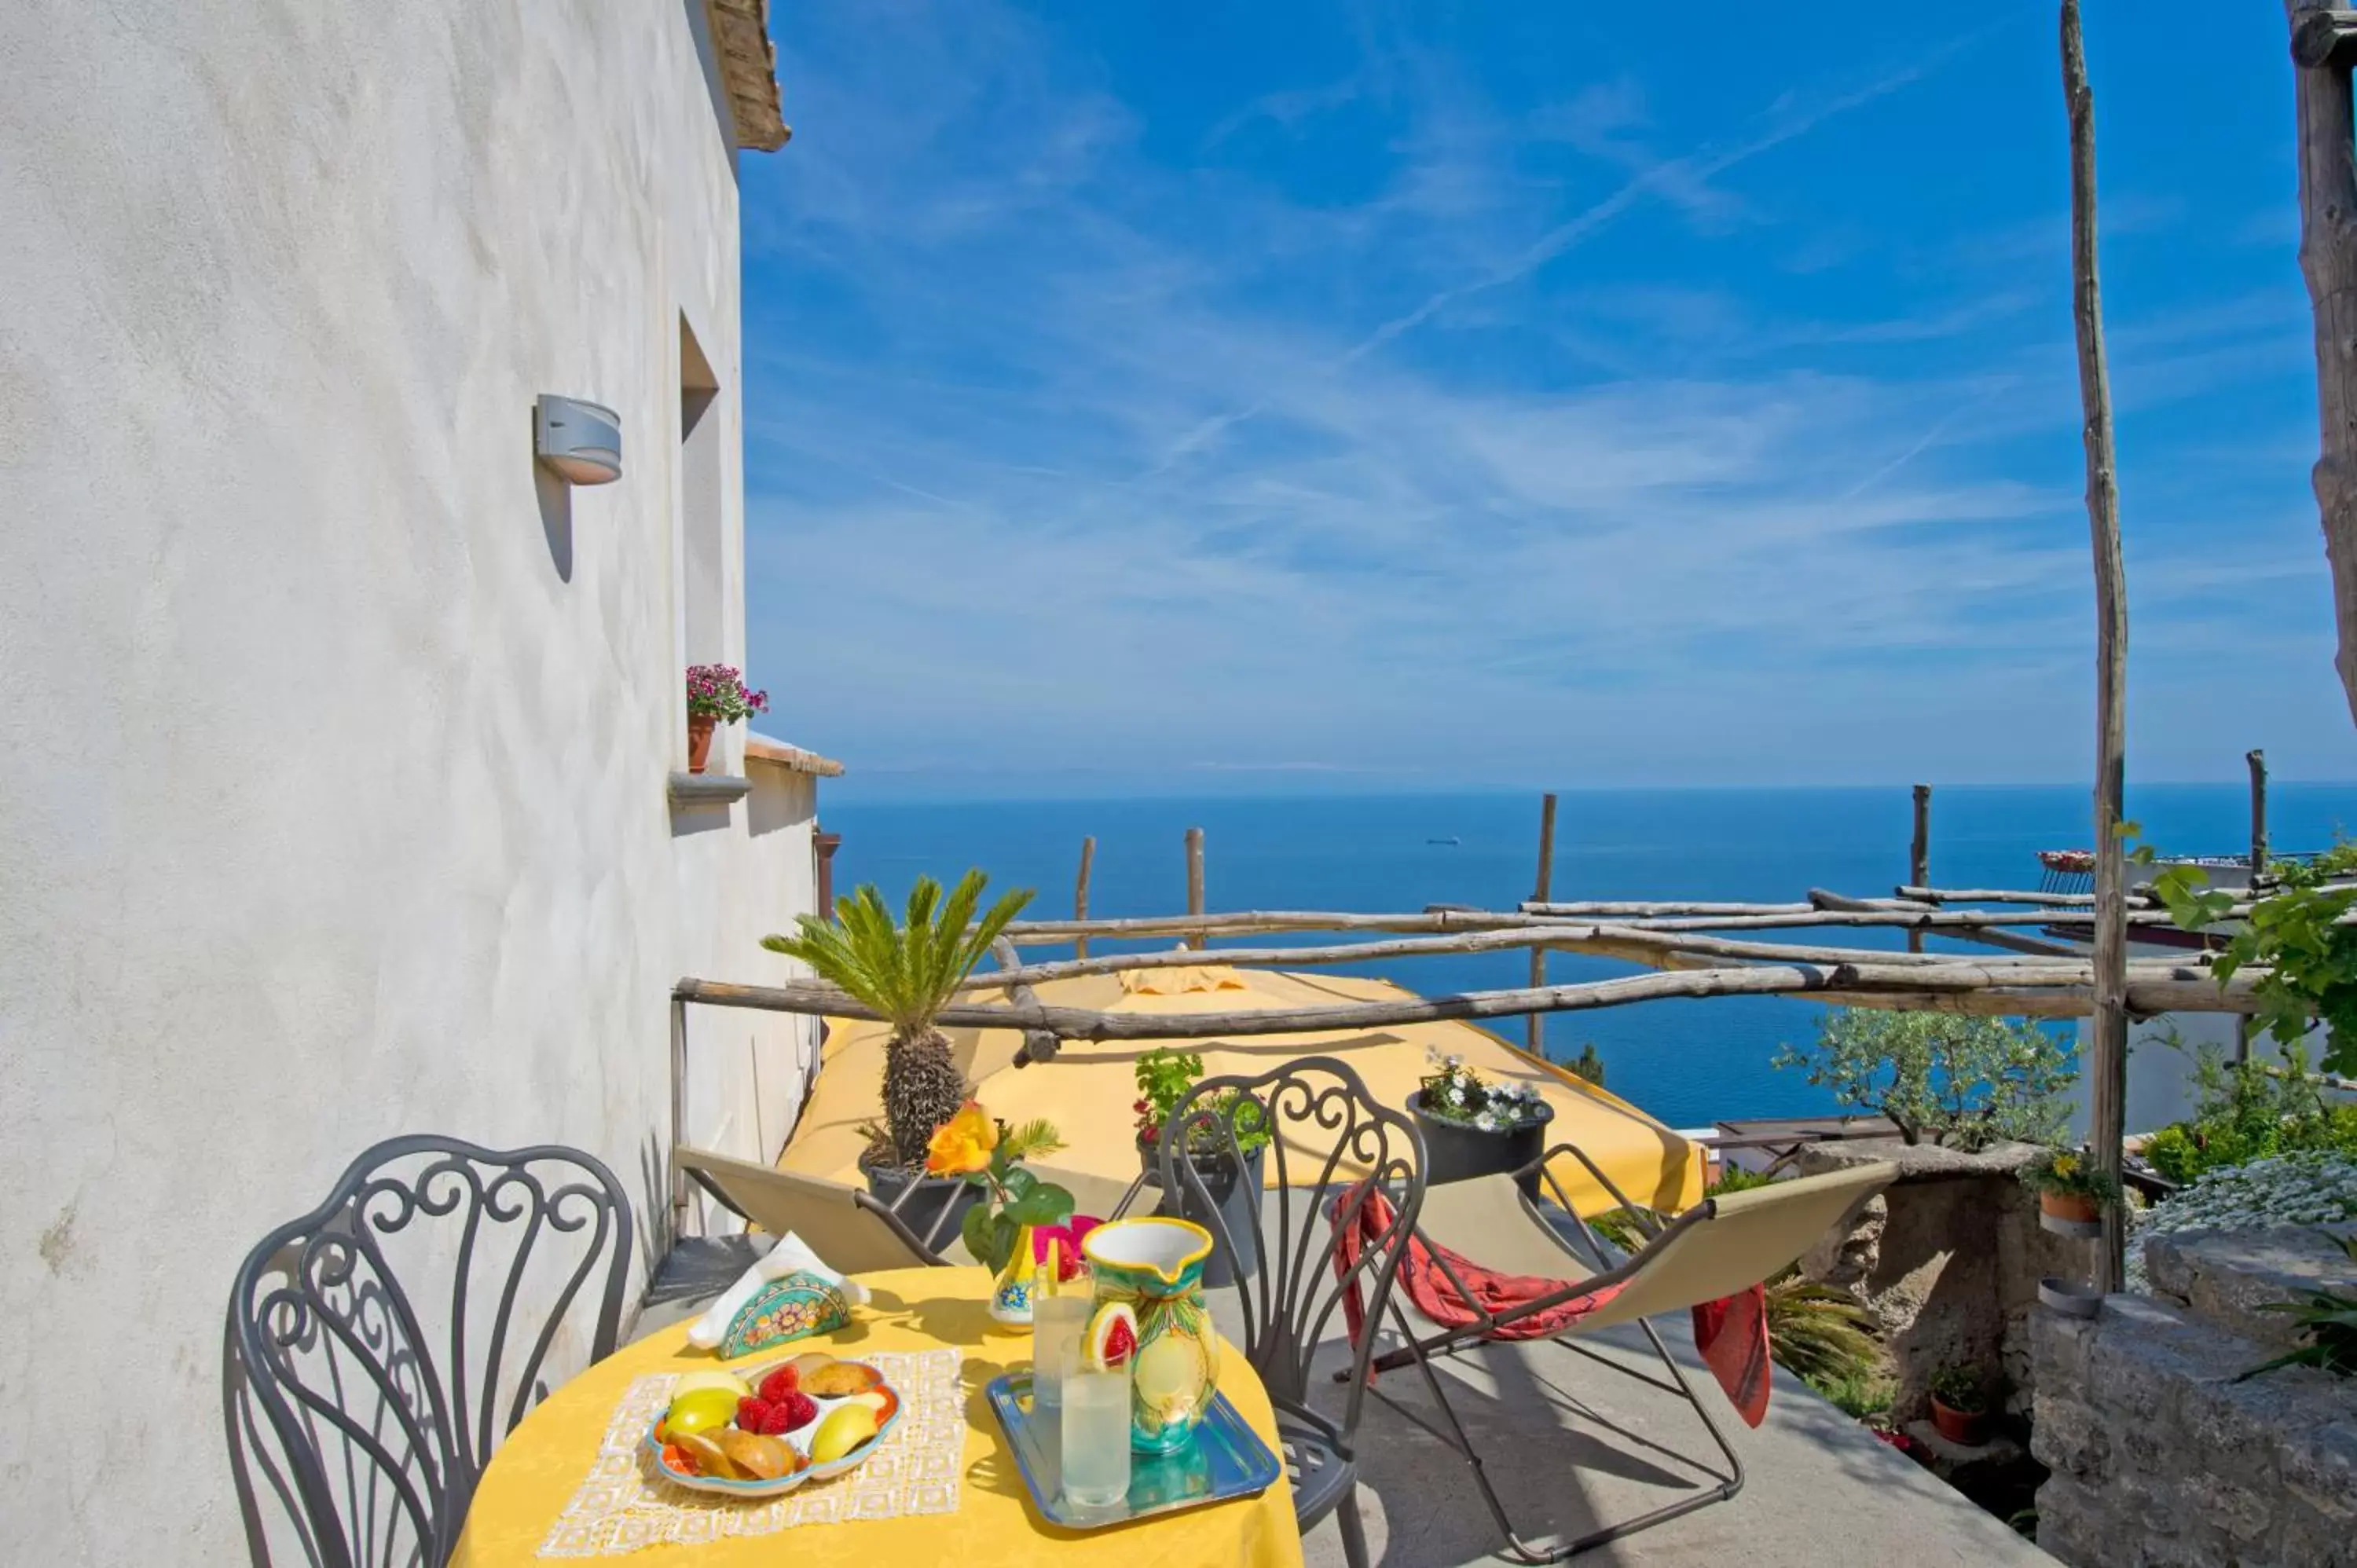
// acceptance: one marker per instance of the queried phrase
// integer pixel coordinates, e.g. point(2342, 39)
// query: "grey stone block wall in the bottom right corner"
point(2160, 1456)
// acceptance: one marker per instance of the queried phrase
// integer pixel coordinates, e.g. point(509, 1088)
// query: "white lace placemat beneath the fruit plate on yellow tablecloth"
point(626, 1503)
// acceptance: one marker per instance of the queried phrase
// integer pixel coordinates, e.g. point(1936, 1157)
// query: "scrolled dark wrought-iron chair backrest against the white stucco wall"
point(376, 1352)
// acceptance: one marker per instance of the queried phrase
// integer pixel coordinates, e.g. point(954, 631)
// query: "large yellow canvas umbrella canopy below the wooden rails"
point(1088, 1091)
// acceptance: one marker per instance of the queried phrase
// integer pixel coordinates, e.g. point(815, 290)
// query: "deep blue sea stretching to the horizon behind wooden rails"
point(1684, 1062)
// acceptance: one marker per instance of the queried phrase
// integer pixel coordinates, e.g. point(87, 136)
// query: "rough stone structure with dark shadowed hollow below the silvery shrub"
point(1950, 1258)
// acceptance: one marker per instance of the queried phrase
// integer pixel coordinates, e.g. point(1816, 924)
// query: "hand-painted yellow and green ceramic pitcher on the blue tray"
point(1156, 1270)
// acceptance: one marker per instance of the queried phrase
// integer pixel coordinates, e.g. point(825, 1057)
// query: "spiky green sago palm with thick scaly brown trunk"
point(906, 973)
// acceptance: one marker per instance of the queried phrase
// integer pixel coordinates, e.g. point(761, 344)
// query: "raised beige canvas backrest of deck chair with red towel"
point(1736, 1241)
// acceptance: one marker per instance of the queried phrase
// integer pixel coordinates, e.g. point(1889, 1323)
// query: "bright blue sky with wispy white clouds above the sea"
point(1326, 397)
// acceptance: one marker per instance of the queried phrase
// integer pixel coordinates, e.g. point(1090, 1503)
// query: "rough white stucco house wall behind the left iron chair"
point(336, 739)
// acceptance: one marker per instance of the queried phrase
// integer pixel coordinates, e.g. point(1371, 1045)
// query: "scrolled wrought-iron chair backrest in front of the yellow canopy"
point(1331, 1145)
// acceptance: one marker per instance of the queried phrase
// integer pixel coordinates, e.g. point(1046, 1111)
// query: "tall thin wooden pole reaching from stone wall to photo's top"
point(2108, 1029)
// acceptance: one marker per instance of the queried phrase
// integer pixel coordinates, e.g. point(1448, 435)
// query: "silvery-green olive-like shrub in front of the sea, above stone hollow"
point(1953, 1079)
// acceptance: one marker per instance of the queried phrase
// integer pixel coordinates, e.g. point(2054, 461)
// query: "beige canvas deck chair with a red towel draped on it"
point(1717, 1249)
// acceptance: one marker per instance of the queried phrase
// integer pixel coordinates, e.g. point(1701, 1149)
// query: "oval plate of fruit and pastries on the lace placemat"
point(767, 1430)
